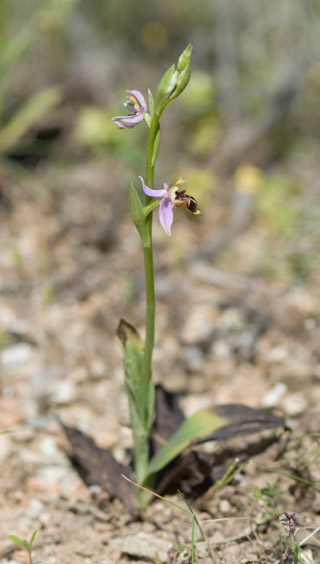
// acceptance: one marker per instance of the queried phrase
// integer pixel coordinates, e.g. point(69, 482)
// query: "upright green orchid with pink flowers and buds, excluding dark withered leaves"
point(137, 354)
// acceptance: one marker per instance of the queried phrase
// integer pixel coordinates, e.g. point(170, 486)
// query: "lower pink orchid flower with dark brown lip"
point(172, 197)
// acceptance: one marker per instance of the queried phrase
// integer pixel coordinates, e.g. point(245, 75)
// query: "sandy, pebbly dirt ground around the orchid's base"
point(242, 326)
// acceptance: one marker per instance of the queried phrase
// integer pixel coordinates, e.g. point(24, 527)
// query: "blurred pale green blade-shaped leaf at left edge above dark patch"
point(25, 117)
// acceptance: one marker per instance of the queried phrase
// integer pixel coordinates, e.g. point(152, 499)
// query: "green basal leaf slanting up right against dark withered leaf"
point(199, 425)
